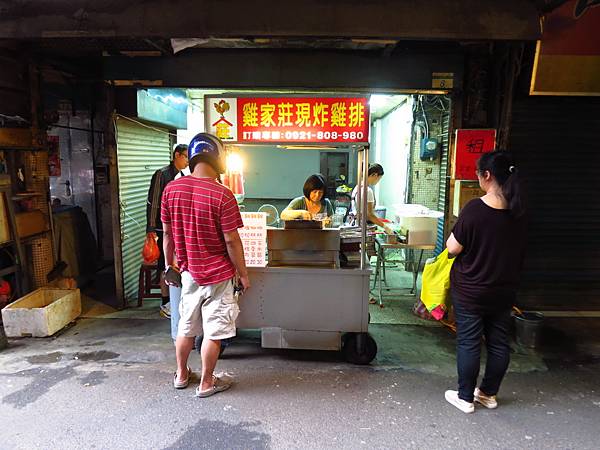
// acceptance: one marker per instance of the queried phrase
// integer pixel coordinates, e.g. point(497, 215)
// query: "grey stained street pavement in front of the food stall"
point(106, 383)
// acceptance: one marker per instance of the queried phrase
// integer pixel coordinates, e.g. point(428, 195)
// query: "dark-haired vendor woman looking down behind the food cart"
point(312, 205)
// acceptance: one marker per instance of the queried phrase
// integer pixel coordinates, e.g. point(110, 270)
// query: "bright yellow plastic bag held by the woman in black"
point(435, 291)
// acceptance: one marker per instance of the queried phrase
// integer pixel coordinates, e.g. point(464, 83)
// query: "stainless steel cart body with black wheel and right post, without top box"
point(315, 308)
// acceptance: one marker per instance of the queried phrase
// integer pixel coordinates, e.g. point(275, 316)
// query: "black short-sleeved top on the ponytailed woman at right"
point(485, 276)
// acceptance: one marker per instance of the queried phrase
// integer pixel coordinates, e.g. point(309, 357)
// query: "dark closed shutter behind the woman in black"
point(555, 141)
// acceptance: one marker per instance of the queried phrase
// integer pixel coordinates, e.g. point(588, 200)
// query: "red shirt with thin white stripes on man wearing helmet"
point(199, 211)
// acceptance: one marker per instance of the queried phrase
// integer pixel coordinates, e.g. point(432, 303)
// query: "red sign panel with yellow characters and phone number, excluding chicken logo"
point(332, 119)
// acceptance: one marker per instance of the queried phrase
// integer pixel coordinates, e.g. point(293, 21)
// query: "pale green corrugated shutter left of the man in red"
point(140, 151)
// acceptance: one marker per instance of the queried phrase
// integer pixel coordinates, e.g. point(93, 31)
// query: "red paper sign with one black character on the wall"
point(469, 146)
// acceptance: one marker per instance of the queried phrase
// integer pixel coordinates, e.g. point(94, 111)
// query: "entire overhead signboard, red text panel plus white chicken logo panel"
point(289, 119)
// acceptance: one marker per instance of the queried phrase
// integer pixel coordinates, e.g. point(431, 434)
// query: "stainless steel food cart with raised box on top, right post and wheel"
point(303, 299)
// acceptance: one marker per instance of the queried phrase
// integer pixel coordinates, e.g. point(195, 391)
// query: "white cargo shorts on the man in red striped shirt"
point(210, 310)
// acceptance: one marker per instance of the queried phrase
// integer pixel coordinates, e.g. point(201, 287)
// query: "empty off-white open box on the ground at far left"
point(42, 312)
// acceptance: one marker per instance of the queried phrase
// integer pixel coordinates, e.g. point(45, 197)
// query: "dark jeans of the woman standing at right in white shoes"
point(470, 326)
